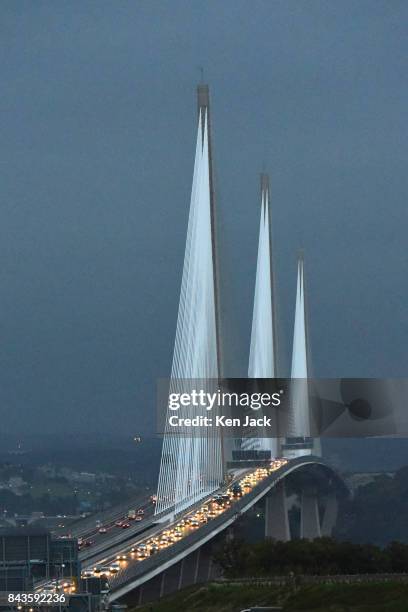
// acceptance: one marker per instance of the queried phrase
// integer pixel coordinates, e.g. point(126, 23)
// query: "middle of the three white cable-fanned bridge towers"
point(263, 348)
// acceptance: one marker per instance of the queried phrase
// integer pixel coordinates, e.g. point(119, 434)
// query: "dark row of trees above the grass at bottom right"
point(323, 556)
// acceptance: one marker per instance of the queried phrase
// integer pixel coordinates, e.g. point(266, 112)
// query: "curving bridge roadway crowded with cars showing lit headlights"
point(102, 558)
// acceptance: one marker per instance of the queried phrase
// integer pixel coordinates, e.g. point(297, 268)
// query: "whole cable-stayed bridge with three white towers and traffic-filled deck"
point(201, 492)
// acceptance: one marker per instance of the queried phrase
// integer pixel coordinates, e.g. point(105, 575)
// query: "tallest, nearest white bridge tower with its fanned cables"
point(192, 466)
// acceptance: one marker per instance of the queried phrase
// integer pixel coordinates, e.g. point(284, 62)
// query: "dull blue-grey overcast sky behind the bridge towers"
point(98, 119)
